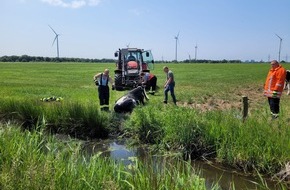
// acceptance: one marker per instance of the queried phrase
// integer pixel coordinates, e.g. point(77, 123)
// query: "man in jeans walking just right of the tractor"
point(169, 85)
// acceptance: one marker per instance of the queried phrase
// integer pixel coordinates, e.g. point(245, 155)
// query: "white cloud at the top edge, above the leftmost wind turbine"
point(72, 3)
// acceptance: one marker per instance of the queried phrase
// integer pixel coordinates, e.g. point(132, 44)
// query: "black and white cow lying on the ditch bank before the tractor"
point(129, 101)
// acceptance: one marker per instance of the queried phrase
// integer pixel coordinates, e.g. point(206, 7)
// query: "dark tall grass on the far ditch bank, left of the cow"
point(79, 120)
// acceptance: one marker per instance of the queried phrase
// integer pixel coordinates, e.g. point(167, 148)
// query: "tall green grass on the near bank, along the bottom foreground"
point(33, 160)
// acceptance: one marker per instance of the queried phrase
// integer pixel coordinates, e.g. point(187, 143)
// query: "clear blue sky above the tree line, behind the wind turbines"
point(222, 29)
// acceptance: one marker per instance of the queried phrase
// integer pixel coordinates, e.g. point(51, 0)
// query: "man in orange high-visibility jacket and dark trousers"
point(274, 86)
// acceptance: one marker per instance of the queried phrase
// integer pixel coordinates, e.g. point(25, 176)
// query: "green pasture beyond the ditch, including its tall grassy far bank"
point(205, 123)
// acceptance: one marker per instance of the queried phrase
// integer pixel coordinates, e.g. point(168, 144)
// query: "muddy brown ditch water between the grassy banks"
point(213, 173)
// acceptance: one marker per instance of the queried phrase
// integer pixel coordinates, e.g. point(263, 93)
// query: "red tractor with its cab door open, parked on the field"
point(130, 64)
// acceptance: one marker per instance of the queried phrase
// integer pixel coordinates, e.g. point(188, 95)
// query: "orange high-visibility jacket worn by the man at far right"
point(275, 82)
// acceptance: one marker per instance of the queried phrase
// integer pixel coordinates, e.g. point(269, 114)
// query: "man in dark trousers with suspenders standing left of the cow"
point(102, 79)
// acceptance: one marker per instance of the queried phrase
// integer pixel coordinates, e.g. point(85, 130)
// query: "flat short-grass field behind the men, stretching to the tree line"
point(195, 83)
